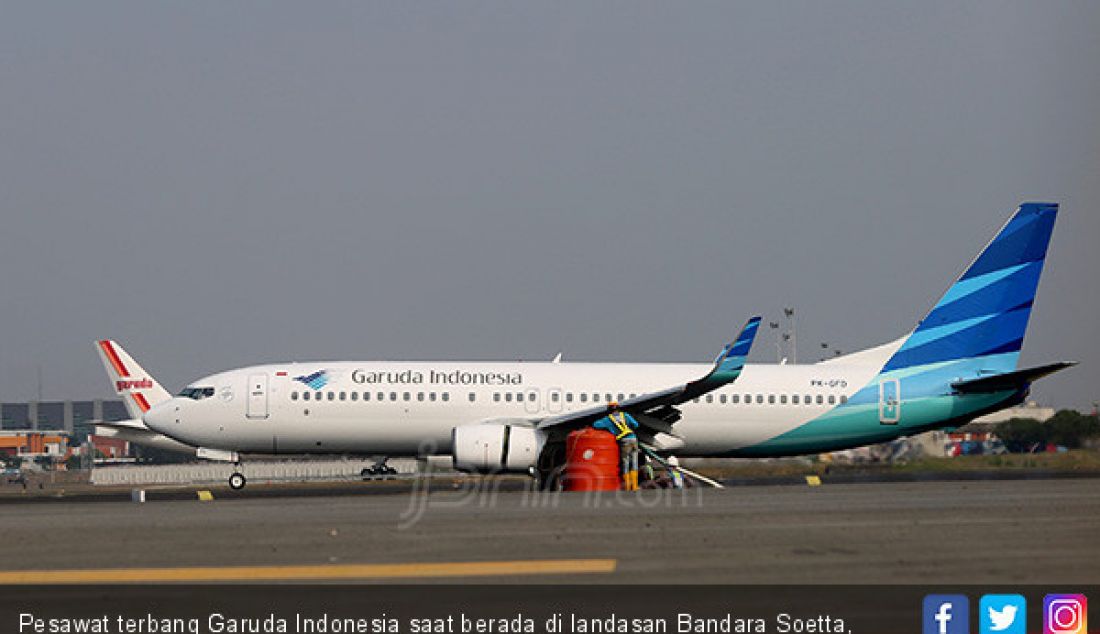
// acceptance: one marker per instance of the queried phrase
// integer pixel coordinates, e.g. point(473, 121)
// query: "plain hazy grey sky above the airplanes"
point(222, 184)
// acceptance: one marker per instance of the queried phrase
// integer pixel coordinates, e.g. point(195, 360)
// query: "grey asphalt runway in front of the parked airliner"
point(962, 532)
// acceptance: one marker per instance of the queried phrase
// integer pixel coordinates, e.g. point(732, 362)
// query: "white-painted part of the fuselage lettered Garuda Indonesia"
point(404, 409)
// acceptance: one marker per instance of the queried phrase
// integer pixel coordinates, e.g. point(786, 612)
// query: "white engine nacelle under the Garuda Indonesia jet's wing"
point(496, 449)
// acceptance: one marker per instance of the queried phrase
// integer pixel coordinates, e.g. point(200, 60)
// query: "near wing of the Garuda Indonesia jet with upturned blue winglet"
point(656, 411)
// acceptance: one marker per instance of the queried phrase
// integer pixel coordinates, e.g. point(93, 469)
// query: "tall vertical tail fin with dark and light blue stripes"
point(985, 313)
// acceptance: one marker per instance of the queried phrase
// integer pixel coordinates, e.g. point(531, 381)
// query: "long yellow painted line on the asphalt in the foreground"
point(312, 573)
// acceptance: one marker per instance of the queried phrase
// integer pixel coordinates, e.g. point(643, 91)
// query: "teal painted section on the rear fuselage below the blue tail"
point(851, 425)
